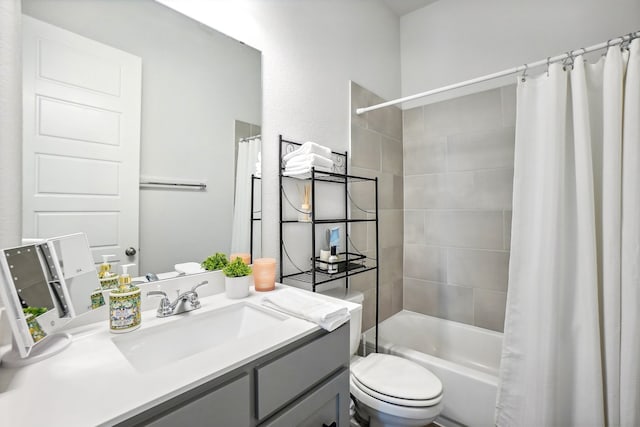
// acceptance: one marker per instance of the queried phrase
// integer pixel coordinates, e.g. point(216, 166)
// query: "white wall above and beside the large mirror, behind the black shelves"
point(311, 49)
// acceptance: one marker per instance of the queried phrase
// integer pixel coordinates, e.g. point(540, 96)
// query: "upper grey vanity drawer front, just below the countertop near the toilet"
point(281, 380)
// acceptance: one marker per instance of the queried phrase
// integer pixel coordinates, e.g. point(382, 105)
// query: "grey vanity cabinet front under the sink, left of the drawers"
point(226, 406)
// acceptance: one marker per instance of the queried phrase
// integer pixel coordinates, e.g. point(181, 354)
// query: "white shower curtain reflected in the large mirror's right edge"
point(247, 158)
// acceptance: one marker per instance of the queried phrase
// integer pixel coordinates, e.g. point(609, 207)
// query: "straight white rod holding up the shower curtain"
point(521, 68)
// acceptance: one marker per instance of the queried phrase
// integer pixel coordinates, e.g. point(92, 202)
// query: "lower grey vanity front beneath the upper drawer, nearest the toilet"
point(325, 405)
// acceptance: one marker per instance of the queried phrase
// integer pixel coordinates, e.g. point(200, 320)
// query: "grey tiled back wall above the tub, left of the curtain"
point(458, 180)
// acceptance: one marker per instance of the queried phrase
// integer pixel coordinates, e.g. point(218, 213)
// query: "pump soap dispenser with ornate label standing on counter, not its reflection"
point(124, 304)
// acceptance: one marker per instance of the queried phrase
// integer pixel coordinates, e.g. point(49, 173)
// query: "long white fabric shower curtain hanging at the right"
point(571, 354)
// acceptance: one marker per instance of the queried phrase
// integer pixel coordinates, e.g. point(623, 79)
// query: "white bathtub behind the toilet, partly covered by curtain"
point(465, 358)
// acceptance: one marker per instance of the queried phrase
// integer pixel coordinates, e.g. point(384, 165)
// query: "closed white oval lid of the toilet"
point(396, 377)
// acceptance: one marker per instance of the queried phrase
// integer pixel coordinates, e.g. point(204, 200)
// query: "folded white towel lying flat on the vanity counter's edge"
point(304, 305)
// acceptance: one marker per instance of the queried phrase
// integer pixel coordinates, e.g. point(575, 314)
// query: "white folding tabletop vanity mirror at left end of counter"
point(44, 285)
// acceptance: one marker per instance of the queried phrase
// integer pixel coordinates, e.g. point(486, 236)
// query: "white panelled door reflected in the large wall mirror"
point(81, 140)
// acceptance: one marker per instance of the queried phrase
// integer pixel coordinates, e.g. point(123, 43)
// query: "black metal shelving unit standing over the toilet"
point(351, 262)
